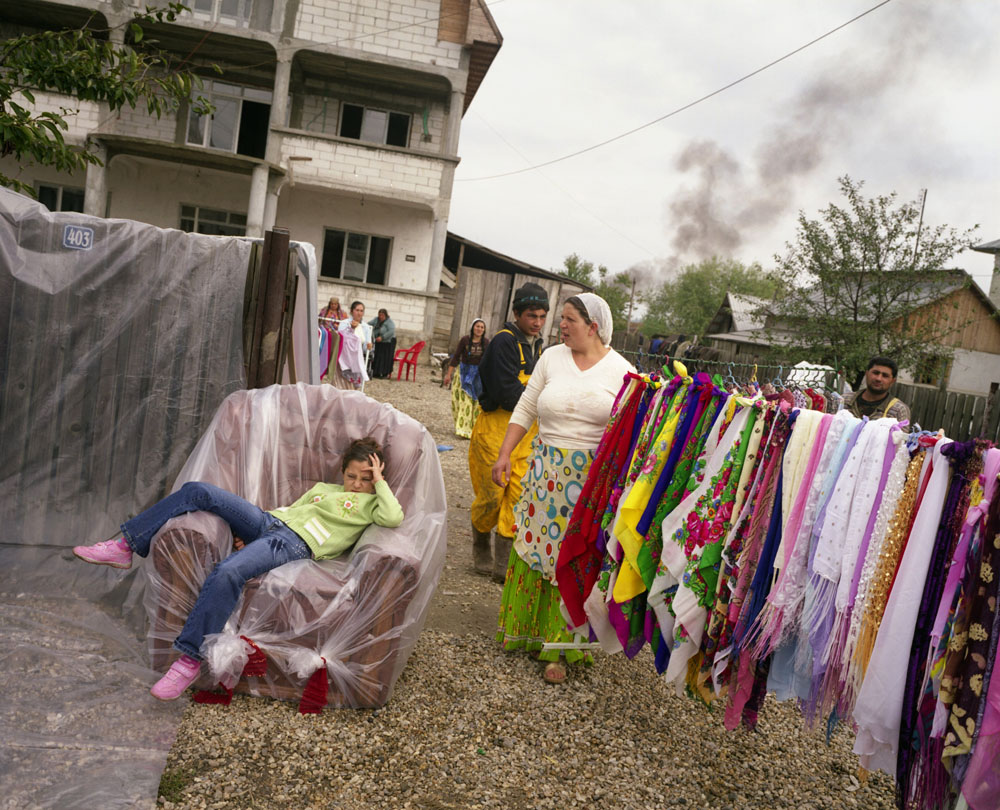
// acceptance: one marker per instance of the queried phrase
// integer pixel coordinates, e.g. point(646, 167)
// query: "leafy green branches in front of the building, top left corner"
point(83, 63)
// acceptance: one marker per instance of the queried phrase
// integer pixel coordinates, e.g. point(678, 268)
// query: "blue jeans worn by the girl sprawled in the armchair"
point(269, 543)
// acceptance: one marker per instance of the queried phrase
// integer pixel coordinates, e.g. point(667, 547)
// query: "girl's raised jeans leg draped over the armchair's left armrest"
point(246, 520)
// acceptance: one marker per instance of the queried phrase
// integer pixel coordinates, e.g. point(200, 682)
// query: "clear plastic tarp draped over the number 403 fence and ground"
point(118, 341)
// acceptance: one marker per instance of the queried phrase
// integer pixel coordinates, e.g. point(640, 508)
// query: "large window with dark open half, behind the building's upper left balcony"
point(239, 123)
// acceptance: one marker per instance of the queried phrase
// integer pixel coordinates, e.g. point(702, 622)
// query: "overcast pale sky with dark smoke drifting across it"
point(905, 98)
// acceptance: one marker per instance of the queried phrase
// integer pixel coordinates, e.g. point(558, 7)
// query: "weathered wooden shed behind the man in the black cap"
point(484, 285)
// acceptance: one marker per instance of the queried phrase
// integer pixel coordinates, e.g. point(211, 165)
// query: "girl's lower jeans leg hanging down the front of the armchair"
point(275, 546)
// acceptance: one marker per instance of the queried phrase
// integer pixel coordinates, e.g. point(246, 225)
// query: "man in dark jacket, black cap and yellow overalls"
point(504, 371)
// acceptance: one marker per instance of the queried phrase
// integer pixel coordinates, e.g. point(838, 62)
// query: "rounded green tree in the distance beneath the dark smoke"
point(686, 304)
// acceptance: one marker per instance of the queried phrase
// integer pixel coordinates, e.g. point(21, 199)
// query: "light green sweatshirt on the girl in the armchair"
point(330, 520)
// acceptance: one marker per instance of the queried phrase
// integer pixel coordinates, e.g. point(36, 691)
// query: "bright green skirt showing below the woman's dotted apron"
point(530, 615)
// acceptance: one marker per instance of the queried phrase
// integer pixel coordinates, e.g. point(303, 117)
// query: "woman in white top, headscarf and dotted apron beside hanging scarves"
point(571, 392)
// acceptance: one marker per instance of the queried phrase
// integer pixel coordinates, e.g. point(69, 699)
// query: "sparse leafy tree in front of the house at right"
point(854, 282)
